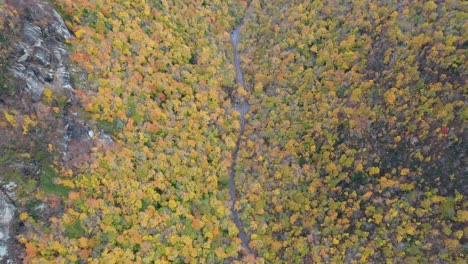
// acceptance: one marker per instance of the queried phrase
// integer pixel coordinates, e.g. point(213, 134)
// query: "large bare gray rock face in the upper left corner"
point(41, 59)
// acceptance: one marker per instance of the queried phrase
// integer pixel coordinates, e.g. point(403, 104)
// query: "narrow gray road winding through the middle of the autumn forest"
point(242, 106)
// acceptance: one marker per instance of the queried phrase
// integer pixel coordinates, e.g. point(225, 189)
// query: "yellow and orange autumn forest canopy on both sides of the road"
point(353, 152)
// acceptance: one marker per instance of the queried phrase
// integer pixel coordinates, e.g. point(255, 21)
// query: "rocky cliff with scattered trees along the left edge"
point(40, 127)
